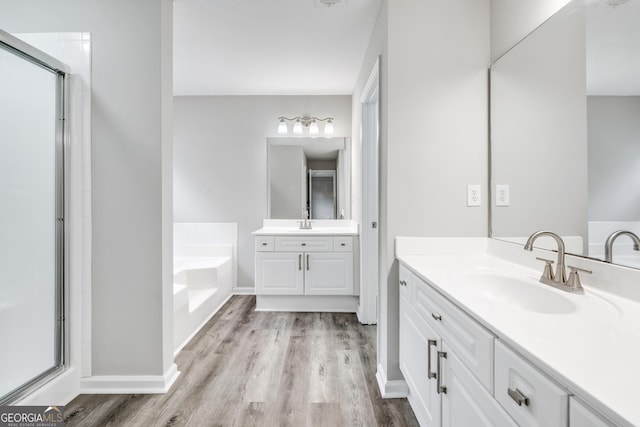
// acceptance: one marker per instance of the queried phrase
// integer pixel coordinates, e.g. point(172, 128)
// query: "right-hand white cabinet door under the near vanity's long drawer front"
point(466, 402)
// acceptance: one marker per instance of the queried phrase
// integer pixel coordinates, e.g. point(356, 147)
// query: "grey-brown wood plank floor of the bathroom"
point(248, 368)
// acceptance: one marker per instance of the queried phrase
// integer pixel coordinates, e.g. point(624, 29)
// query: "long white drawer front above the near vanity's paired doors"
point(470, 341)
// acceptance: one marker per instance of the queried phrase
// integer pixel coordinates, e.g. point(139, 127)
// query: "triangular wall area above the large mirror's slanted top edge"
point(512, 20)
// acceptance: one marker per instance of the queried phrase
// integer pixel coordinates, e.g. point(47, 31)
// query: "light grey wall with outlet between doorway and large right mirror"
point(433, 133)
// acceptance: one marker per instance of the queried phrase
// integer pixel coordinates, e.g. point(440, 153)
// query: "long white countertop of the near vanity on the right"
point(593, 348)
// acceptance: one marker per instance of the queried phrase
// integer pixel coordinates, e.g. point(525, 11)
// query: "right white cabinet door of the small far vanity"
point(328, 273)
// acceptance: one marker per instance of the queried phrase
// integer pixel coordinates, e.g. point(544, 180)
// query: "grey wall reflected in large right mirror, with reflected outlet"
point(539, 130)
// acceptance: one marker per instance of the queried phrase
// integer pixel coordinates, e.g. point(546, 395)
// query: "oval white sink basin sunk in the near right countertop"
point(528, 295)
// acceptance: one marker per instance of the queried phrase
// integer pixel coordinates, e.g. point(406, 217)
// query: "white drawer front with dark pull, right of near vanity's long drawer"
point(516, 380)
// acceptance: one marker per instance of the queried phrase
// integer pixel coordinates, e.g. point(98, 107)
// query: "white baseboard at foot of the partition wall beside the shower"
point(130, 384)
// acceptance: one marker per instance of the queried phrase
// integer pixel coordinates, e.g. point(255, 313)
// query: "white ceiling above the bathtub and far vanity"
point(269, 47)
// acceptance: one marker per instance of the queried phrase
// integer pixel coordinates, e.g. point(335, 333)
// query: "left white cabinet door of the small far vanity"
point(279, 273)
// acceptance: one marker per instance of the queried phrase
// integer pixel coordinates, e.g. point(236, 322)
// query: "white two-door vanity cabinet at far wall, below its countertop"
point(304, 265)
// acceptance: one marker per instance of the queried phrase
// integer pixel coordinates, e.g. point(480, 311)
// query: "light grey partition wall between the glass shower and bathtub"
point(128, 90)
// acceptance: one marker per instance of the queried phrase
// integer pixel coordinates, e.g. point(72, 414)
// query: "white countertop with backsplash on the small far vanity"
point(338, 227)
